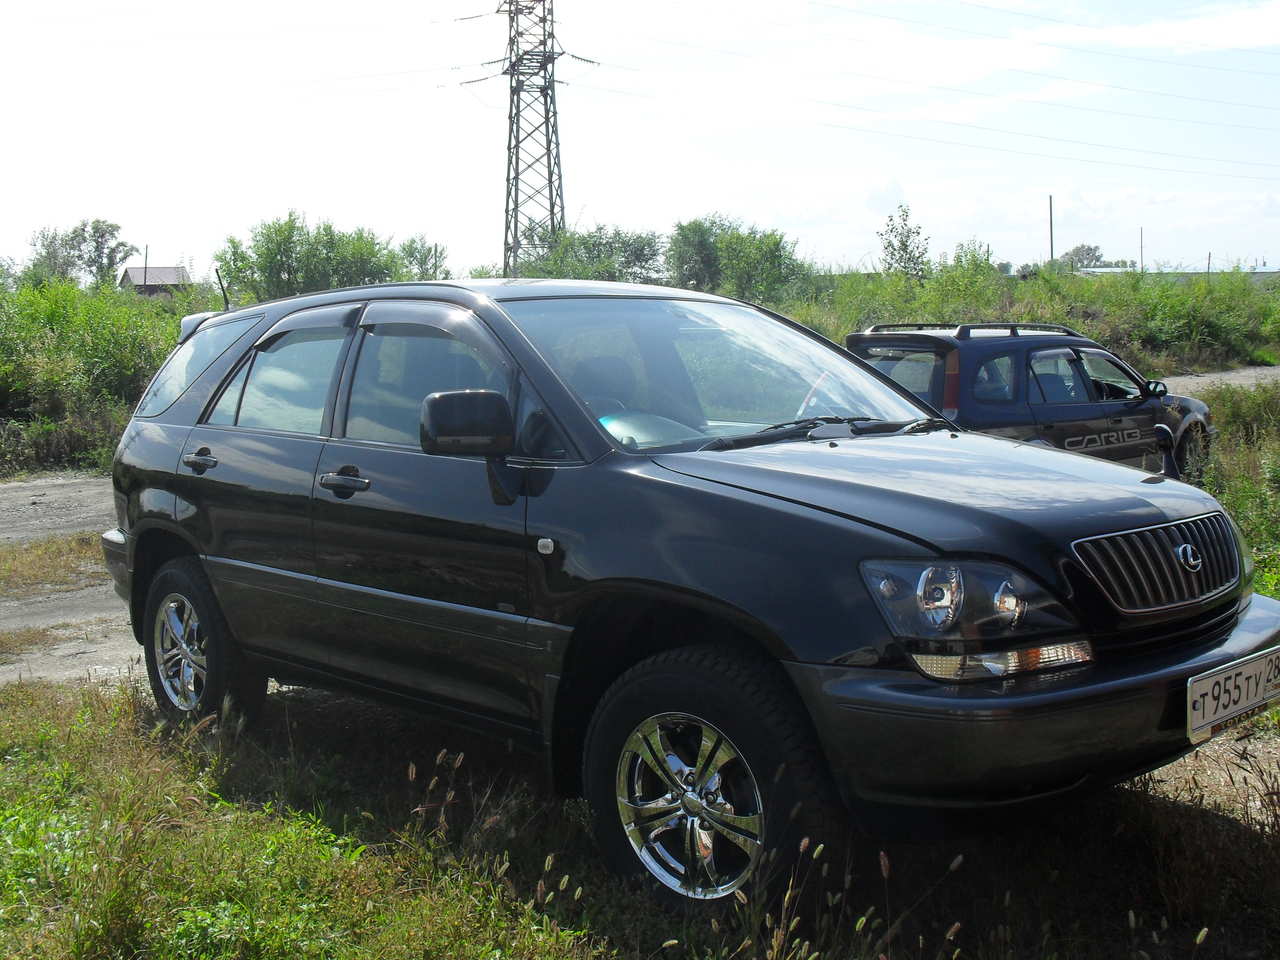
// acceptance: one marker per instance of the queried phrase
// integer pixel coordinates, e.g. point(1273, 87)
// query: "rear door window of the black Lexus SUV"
point(289, 382)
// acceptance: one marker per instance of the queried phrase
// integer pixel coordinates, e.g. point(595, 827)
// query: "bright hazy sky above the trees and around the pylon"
point(190, 122)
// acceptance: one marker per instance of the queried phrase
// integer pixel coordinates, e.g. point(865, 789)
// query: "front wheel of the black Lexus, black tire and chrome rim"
point(702, 772)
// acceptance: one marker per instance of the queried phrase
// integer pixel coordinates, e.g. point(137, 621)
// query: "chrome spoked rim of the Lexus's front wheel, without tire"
point(691, 806)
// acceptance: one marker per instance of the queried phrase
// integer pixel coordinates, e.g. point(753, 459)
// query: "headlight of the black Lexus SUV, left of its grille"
point(964, 620)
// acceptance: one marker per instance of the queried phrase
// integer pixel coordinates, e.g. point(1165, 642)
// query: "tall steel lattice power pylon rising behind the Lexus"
point(536, 193)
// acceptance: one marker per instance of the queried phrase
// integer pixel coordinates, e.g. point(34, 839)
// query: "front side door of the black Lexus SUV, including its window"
point(423, 569)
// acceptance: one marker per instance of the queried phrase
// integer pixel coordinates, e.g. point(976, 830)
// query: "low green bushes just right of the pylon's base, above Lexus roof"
point(602, 254)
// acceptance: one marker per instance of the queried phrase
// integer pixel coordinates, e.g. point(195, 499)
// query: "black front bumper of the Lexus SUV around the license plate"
point(894, 737)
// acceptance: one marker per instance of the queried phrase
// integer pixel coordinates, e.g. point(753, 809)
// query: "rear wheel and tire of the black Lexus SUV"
point(194, 665)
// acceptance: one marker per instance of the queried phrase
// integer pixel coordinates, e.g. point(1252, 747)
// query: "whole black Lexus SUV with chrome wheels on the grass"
point(726, 577)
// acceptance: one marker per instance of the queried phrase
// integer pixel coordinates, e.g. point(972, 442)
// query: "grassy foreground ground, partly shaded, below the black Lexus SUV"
point(344, 830)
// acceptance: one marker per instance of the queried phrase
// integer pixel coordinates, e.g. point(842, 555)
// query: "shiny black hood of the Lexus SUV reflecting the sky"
point(957, 492)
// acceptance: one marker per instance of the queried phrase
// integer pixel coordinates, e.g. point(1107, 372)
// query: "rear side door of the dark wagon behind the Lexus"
point(1058, 392)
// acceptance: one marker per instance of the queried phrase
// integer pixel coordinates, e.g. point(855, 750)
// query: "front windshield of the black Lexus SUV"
point(675, 374)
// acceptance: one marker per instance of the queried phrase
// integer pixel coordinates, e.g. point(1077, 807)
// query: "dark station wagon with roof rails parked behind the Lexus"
point(1040, 382)
